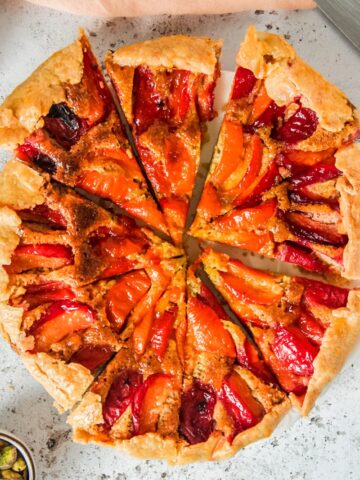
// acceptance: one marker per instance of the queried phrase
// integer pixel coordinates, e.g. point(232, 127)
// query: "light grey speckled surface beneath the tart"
point(324, 446)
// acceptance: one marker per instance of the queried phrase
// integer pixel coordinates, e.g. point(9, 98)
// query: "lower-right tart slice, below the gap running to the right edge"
point(304, 328)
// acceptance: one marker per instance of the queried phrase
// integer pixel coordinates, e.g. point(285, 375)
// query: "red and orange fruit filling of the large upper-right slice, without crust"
point(270, 153)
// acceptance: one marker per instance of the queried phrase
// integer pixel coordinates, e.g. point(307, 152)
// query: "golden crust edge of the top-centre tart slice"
point(197, 54)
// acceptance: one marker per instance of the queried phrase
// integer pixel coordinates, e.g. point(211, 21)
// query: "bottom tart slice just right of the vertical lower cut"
point(226, 404)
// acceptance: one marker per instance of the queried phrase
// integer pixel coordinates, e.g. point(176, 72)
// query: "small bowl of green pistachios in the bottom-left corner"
point(16, 462)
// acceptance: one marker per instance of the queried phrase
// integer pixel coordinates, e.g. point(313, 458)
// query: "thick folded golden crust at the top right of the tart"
point(286, 76)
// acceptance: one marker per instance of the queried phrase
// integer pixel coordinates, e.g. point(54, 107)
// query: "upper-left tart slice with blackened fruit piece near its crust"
point(62, 120)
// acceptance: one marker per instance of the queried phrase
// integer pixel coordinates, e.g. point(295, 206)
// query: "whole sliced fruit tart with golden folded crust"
point(147, 351)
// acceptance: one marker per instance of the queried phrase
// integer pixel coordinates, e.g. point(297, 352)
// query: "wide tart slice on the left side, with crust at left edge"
point(55, 311)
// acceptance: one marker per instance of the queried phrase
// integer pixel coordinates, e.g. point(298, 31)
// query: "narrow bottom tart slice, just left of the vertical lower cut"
point(134, 404)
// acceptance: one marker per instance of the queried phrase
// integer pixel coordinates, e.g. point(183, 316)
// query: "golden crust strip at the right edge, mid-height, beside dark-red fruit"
point(348, 186)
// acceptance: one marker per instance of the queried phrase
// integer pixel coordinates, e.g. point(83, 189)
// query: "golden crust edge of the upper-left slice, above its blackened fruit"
point(22, 110)
